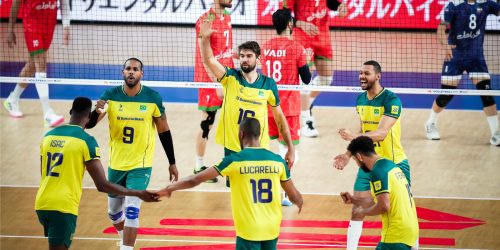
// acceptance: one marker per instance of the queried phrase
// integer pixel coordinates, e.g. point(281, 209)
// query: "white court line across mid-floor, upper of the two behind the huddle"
point(323, 194)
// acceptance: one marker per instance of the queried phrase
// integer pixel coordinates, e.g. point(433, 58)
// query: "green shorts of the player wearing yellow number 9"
point(134, 179)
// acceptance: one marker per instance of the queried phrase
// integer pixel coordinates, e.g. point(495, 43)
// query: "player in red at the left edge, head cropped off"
point(39, 22)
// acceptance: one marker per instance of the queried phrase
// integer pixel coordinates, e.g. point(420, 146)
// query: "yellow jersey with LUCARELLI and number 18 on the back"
point(255, 175)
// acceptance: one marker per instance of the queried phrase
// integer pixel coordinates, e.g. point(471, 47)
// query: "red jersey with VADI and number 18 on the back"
point(281, 58)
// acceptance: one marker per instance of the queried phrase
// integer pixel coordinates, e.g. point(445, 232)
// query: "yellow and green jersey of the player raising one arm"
point(241, 100)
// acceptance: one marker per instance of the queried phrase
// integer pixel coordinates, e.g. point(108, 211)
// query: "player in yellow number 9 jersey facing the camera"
point(133, 112)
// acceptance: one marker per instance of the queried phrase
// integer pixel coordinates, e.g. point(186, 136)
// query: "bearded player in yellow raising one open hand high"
point(246, 94)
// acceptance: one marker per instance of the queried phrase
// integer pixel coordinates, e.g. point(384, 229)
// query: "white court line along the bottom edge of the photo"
point(212, 242)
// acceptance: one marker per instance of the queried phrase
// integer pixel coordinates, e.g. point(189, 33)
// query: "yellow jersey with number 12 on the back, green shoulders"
point(64, 151)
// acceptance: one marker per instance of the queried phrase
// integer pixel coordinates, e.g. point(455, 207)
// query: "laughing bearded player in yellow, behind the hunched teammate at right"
point(379, 110)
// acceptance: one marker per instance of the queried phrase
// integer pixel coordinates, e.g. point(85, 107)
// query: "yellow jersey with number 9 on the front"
point(131, 127)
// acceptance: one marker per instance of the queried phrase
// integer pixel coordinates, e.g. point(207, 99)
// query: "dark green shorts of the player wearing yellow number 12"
point(58, 227)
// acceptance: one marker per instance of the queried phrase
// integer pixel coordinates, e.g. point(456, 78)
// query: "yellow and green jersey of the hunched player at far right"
point(400, 223)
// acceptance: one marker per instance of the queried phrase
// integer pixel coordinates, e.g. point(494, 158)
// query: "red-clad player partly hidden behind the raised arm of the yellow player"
point(210, 100)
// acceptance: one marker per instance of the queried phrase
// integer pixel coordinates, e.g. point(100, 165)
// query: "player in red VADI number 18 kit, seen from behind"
point(284, 60)
